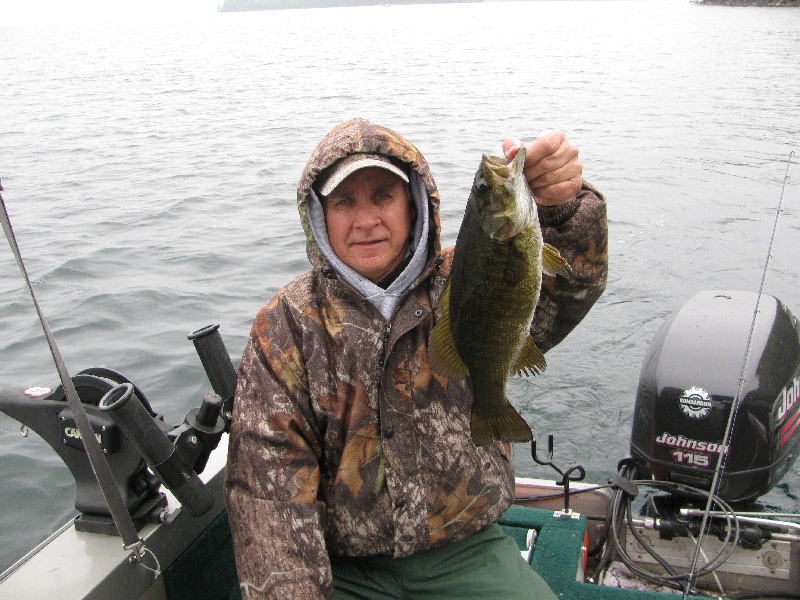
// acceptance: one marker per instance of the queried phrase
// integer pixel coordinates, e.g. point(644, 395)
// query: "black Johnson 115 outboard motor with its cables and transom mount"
point(712, 355)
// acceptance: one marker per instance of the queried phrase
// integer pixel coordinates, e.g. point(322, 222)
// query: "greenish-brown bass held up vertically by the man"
point(486, 310)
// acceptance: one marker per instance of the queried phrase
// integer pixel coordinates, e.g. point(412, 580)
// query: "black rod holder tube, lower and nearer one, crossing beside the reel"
point(154, 445)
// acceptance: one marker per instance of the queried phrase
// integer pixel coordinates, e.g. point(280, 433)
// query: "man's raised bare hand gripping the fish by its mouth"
point(552, 167)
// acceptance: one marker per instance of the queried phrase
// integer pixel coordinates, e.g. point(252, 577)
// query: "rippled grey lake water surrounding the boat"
point(150, 169)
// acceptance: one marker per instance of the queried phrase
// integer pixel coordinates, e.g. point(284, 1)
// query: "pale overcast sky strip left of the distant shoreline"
point(16, 12)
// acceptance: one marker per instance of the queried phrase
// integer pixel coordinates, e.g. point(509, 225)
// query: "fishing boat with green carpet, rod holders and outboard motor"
point(634, 538)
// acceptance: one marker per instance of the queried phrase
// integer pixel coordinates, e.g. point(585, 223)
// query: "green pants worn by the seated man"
point(486, 565)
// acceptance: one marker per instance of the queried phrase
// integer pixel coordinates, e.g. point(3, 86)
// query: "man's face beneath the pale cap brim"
point(369, 220)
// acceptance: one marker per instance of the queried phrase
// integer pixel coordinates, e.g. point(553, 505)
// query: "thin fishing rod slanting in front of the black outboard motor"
point(715, 482)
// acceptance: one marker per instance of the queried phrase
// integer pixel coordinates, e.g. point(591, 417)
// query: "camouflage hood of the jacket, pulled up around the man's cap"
point(363, 136)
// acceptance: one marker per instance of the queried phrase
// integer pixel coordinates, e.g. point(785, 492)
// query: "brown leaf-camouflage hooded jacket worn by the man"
point(344, 442)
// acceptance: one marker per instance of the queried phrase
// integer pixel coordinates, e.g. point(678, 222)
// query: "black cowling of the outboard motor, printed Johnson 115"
point(687, 388)
